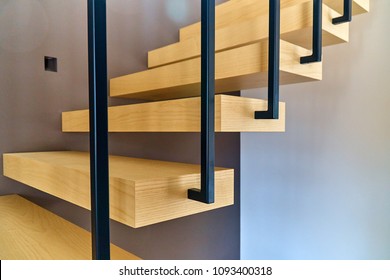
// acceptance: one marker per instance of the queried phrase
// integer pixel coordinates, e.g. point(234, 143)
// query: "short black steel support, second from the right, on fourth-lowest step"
point(317, 34)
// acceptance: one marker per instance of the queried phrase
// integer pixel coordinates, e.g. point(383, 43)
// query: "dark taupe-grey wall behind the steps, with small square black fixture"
point(32, 100)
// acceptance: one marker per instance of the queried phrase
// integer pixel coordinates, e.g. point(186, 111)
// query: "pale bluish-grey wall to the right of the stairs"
point(322, 189)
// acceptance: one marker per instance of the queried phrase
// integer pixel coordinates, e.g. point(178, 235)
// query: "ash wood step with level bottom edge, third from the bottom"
point(232, 114)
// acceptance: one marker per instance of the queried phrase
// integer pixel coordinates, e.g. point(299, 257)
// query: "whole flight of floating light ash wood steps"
point(145, 192)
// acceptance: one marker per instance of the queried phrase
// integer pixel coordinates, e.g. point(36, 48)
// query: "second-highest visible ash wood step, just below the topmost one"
point(296, 27)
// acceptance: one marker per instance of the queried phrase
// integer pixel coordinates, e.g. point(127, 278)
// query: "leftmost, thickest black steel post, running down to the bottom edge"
point(98, 82)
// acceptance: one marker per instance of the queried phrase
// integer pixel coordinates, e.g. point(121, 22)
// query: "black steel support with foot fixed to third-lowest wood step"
point(273, 63)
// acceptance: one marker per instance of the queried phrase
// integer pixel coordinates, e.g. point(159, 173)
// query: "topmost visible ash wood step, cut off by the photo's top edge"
point(239, 10)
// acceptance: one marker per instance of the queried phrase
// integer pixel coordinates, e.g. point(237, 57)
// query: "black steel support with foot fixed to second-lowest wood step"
point(206, 193)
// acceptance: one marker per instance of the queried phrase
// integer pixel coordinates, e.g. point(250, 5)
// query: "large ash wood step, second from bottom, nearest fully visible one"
point(142, 192)
